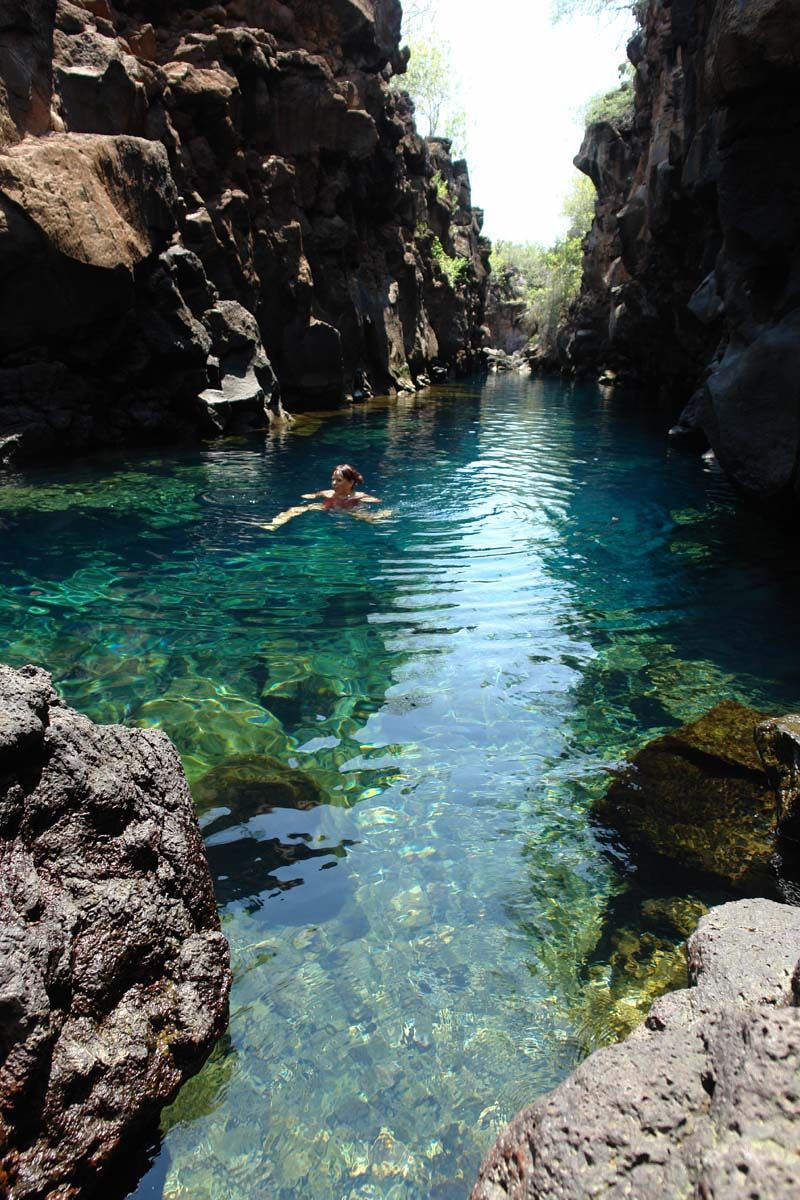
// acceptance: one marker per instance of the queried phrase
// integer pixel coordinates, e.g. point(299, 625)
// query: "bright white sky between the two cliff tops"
point(525, 82)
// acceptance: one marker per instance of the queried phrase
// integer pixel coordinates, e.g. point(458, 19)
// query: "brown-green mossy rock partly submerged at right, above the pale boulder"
point(700, 796)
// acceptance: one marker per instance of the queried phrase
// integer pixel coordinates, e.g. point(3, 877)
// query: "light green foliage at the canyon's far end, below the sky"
point(549, 279)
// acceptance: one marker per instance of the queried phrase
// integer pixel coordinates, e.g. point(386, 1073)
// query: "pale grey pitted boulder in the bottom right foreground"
point(700, 1102)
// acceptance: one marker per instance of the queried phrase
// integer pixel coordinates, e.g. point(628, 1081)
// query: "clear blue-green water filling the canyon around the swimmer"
point(430, 947)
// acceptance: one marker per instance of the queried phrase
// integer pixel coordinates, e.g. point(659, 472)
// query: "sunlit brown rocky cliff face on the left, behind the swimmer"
point(204, 208)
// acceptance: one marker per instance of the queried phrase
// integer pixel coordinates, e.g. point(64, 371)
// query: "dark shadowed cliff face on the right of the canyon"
point(693, 267)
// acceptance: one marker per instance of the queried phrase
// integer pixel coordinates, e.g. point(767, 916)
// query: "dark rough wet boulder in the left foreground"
point(115, 976)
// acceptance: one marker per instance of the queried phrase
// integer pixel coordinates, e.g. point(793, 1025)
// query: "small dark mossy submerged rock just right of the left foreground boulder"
point(251, 784)
